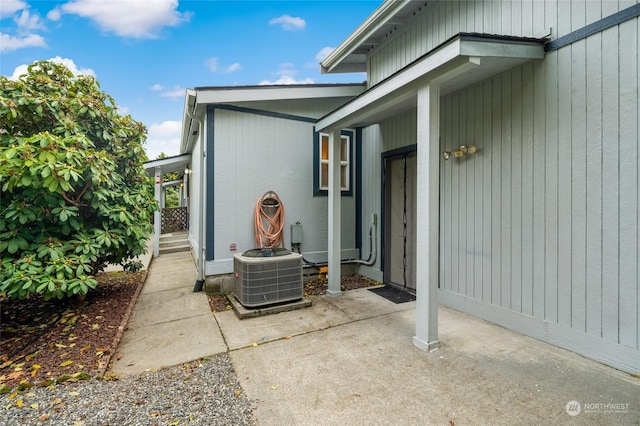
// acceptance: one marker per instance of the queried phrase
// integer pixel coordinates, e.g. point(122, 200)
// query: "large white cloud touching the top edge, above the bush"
point(141, 19)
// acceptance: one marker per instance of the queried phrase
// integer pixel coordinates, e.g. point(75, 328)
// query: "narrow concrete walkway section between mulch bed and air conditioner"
point(170, 324)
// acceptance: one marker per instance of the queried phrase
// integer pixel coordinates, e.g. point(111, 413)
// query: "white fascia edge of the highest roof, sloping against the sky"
point(379, 17)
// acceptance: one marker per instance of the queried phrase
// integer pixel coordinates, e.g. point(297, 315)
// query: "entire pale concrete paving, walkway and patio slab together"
point(350, 360)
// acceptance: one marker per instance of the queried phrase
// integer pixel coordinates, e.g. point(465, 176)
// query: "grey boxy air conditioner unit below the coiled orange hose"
point(267, 276)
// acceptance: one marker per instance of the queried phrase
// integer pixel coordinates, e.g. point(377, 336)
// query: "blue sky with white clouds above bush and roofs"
point(145, 53)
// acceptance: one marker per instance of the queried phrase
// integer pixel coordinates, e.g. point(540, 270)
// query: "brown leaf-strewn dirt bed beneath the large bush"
point(45, 343)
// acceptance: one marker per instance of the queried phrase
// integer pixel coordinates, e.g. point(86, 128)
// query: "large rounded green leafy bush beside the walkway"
point(74, 194)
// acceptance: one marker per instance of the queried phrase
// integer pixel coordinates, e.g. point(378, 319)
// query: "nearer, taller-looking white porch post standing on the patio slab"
point(427, 221)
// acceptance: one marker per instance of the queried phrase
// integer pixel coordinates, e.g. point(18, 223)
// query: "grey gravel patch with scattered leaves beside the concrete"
point(204, 392)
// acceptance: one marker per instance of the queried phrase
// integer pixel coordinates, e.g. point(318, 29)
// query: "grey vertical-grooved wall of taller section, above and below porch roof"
point(540, 228)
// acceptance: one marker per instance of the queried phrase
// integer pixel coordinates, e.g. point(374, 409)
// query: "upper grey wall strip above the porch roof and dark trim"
point(441, 20)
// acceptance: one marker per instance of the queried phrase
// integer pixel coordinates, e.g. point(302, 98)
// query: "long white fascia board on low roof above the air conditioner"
point(276, 93)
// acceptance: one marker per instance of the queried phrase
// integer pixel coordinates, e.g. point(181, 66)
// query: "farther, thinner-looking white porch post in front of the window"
point(333, 275)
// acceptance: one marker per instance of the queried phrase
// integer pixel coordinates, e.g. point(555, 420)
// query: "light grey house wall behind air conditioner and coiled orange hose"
point(254, 154)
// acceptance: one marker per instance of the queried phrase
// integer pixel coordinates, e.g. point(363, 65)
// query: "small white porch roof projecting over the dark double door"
point(459, 62)
